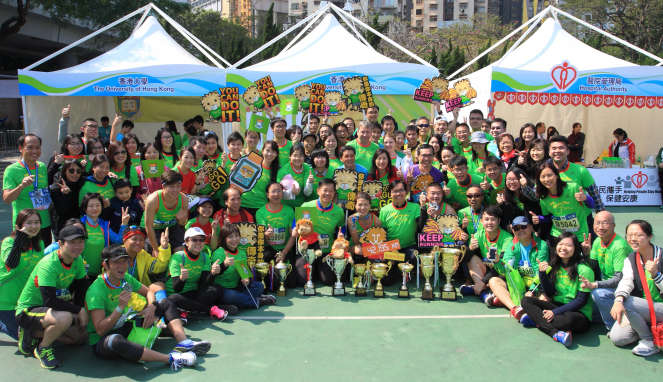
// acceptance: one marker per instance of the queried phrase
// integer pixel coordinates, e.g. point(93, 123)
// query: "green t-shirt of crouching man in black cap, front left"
point(49, 272)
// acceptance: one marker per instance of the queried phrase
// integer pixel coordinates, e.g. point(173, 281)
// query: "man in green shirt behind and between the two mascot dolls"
point(331, 219)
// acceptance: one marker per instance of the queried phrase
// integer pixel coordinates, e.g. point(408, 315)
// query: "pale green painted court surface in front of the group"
point(326, 338)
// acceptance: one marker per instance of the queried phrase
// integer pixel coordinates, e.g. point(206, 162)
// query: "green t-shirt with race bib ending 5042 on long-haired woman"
point(569, 215)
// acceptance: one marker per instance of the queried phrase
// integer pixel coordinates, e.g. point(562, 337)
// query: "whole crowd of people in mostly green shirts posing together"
point(95, 240)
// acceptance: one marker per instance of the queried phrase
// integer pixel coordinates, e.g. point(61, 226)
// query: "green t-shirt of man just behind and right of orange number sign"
point(401, 223)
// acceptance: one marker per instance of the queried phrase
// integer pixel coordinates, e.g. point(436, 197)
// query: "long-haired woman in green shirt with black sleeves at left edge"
point(20, 253)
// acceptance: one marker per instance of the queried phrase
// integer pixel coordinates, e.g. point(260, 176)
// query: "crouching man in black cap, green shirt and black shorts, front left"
point(40, 313)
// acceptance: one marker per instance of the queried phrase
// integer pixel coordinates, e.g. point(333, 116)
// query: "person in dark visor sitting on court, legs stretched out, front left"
point(108, 303)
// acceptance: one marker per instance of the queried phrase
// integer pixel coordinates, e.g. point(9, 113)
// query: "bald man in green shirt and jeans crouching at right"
point(607, 256)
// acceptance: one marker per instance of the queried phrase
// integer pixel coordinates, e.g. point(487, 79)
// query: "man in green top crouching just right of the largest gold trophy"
point(486, 248)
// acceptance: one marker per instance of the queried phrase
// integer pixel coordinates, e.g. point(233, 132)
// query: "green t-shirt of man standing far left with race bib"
point(13, 176)
